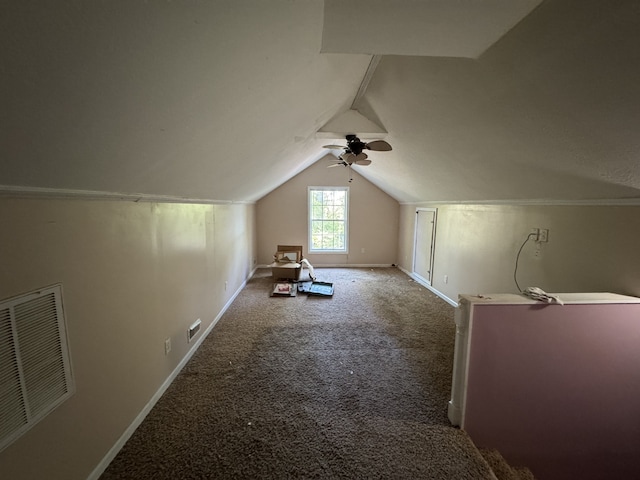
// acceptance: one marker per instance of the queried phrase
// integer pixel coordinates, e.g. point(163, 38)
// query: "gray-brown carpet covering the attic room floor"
point(353, 386)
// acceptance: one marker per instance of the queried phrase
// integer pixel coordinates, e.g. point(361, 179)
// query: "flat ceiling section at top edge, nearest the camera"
point(440, 28)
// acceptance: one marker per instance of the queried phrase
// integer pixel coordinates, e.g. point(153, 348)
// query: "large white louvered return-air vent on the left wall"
point(35, 366)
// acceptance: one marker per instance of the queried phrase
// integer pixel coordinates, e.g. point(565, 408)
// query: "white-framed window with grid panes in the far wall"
point(328, 226)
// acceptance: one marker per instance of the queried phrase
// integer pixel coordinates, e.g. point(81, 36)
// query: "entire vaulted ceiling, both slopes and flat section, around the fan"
point(483, 100)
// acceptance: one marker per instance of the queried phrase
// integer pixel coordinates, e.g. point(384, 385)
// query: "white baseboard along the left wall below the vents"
point(111, 454)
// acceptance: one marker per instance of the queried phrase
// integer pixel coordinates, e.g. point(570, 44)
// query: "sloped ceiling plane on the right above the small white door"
point(549, 112)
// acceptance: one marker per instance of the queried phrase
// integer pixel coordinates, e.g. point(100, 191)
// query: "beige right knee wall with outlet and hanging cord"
point(590, 248)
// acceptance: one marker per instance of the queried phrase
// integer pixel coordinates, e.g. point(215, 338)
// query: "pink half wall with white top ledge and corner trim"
point(553, 387)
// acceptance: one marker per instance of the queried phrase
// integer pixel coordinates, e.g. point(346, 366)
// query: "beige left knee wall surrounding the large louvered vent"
point(133, 274)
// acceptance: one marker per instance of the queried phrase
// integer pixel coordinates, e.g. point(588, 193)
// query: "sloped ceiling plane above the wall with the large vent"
point(217, 101)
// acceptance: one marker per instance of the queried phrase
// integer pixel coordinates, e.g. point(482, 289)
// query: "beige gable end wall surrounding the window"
point(373, 218)
